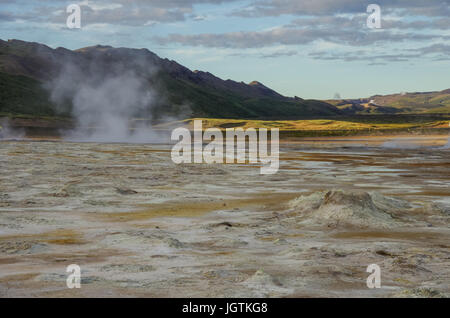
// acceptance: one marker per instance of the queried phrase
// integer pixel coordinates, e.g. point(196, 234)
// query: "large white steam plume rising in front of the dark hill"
point(105, 98)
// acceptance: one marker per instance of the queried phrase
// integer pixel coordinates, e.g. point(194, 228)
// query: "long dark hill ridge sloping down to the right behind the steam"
point(27, 68)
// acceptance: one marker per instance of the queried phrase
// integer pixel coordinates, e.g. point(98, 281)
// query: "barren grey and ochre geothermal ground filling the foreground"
point(139, 225)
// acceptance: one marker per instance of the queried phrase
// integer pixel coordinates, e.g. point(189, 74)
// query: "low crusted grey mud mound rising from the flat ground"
point(355, 209)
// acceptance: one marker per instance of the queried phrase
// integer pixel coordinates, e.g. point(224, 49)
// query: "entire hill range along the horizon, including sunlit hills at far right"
point(25, 66)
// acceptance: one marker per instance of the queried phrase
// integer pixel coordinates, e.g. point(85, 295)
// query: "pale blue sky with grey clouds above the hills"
point(308, 48)
